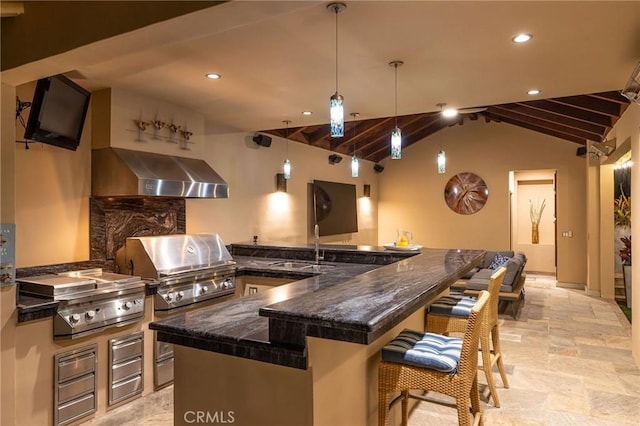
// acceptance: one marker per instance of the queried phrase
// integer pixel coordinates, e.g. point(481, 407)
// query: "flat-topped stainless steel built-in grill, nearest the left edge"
point(90, 300)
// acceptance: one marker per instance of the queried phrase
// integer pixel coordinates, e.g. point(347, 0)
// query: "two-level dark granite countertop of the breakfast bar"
point(354, 302)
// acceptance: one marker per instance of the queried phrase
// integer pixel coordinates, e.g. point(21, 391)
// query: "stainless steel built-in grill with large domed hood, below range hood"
point(189, 268)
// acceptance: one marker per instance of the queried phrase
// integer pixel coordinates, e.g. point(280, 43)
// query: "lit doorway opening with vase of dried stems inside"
point(533, 199)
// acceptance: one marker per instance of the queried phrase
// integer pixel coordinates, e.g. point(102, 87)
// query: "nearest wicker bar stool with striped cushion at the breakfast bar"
point(432, 362)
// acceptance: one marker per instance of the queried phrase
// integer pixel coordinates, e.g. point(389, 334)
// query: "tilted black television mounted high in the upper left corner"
point(58, 110)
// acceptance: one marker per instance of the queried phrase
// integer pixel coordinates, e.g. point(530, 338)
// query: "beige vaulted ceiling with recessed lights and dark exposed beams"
point(279, 58)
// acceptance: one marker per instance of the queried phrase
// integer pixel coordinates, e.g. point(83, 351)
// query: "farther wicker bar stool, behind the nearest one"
point(450, 314)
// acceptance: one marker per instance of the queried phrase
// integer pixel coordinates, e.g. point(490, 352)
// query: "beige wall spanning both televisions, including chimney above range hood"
point(54, 184)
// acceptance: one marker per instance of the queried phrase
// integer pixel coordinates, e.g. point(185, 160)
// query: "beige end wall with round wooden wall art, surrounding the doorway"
point(412, 193)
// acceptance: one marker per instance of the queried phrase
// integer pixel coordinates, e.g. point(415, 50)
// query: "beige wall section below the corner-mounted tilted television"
point(52, 198)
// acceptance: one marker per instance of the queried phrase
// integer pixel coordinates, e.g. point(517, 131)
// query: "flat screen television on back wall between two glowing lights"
point(335, 207)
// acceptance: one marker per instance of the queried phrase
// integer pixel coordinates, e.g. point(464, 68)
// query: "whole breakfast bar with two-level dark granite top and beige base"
point(303, 353)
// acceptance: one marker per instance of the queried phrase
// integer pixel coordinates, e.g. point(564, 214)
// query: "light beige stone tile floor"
point(568, 360)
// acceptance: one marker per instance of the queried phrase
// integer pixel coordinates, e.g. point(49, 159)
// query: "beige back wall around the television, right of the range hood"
point(254, 208)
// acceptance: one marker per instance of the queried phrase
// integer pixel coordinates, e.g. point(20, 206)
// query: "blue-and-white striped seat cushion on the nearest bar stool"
point(425, 350)
